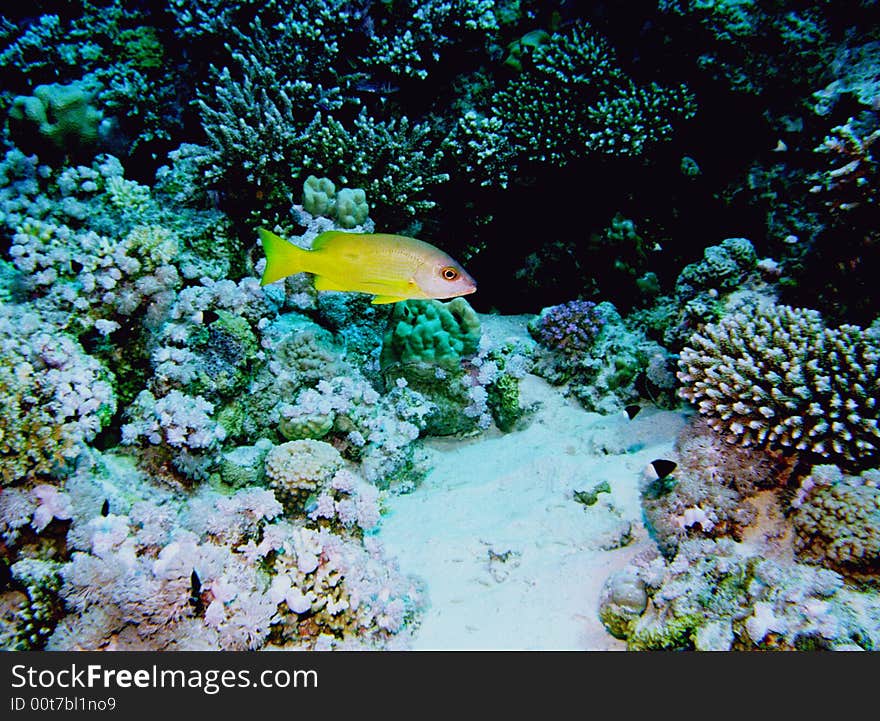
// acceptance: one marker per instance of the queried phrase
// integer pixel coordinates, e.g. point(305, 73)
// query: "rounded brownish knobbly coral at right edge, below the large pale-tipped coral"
point(837, 520)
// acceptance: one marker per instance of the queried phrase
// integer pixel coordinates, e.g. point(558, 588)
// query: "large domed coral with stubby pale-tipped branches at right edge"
point(777, 376)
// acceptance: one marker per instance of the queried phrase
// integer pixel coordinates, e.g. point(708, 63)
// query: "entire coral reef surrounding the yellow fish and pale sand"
point(190, 460)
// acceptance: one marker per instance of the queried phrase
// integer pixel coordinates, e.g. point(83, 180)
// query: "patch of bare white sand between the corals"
point(510, 559)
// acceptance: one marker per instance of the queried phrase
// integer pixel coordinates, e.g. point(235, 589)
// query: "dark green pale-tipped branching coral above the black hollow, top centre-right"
point(573, 100)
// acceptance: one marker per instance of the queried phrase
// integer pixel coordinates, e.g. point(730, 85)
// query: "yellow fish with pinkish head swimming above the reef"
point(391, 267)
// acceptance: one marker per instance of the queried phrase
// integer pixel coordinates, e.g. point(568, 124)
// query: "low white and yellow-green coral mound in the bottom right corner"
point(712, 596)
